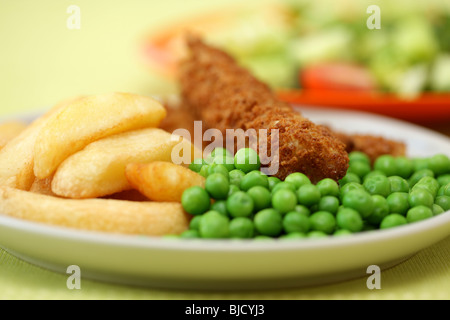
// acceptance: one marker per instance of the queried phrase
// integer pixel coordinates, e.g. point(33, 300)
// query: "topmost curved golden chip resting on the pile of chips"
point(90, 119)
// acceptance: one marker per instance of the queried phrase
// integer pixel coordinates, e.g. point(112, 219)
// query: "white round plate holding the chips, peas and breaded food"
point(238, 265)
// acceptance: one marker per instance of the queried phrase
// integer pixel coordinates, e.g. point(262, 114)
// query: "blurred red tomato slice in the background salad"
point(337, 76)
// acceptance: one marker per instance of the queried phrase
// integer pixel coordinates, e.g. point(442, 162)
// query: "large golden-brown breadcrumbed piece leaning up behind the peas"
point(226, 96)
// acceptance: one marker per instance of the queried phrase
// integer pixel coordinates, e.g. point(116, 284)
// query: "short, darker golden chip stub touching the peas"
point(162, 181)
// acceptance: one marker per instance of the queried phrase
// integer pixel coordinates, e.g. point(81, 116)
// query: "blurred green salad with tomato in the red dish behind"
point(327, 45)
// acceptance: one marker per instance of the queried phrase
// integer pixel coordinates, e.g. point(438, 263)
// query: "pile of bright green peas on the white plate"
point(239, 201)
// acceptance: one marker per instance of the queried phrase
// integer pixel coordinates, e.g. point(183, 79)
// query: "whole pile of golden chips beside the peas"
point(68, 167)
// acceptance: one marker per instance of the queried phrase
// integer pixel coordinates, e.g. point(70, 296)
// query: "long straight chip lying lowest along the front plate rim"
point(113, 216)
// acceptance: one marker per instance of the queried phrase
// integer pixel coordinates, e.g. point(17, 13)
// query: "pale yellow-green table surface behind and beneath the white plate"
point(42, 62)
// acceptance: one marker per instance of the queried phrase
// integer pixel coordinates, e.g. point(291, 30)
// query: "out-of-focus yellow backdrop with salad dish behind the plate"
point(319, 53)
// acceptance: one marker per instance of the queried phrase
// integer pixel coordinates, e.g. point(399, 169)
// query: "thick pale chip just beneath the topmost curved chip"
point(99, 169)
